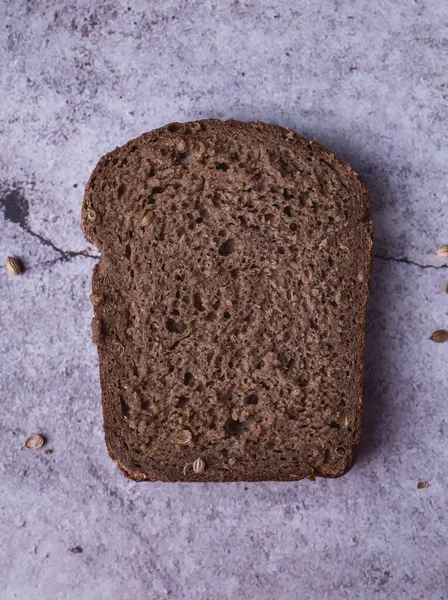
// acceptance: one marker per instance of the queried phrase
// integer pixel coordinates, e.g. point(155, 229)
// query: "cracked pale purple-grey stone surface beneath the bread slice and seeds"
point(78, 78)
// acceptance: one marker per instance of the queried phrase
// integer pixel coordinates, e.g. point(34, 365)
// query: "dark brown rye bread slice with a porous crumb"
point(229, 303)
